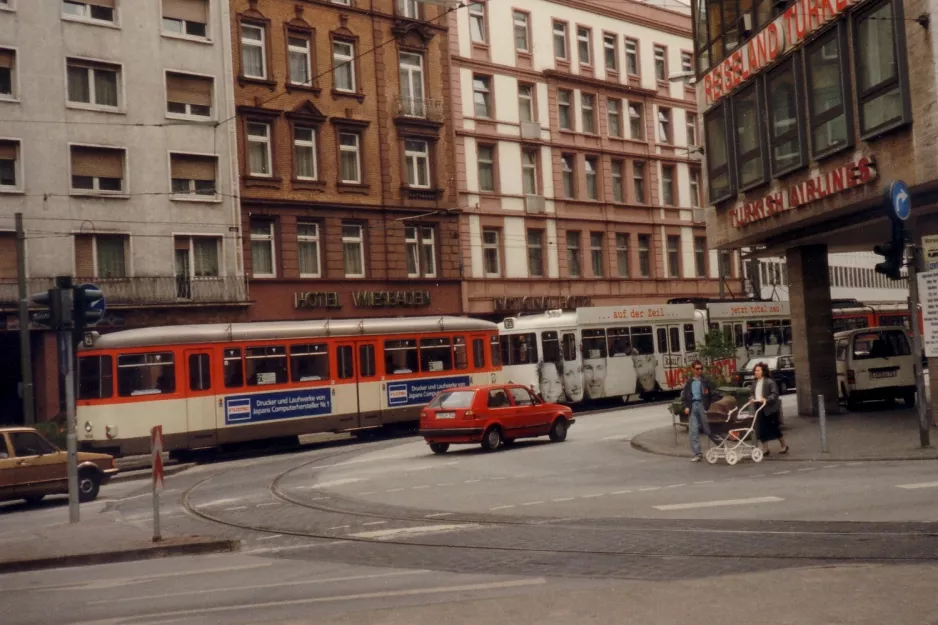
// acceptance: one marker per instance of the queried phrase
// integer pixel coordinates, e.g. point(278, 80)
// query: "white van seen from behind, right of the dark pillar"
point(875, 363)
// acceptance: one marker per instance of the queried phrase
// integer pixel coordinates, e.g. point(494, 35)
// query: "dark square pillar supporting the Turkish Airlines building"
point(811, 323)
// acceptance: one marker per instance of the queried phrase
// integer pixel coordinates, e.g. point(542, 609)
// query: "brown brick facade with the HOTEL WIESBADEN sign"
point(345, 158)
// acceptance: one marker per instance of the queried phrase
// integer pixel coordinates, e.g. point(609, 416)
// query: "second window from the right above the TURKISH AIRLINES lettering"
point(826, 85)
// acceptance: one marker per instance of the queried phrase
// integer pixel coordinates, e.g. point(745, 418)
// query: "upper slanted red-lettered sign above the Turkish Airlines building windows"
point(788, 31)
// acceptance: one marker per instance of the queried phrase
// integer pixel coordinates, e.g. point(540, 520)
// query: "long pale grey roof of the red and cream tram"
point(280, 330)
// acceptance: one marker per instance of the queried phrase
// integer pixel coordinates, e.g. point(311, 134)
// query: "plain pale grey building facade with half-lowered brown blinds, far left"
point(115, 147)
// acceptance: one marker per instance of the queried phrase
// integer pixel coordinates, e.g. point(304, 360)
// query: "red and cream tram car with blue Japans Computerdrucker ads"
point(208, 385)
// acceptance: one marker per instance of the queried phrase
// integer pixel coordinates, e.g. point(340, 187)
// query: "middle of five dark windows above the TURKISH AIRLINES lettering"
point(785, 141)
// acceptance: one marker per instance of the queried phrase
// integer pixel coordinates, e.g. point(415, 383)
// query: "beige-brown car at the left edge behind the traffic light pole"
point(31, 467)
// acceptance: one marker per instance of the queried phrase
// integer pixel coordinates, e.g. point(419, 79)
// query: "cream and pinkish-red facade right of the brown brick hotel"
point(577, 157)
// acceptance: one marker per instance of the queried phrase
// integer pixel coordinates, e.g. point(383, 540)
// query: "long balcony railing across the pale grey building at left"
point(145, 290)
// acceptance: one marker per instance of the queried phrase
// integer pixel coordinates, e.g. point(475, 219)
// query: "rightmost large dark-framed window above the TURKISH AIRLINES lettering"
point(882, 86)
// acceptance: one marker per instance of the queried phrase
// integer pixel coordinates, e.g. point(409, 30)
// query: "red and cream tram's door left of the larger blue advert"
point(200, 426)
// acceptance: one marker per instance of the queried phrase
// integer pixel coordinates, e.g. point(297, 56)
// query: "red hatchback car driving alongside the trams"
point(492, 415)
